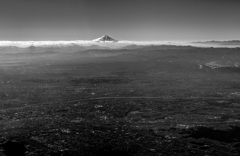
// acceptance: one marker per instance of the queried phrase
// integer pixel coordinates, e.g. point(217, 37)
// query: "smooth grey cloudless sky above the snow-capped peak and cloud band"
point(176, 20)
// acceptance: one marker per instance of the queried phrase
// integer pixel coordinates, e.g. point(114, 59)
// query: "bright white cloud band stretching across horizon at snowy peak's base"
point(119, 44)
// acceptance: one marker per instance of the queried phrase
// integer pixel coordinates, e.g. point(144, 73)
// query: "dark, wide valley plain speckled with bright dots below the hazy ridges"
point(131, 102)
